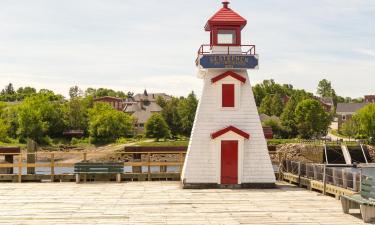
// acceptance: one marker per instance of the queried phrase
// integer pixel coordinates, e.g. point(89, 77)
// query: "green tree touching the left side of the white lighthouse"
point(187, 108)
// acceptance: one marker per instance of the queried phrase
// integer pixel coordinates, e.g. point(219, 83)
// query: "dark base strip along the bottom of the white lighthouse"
point(228, 186)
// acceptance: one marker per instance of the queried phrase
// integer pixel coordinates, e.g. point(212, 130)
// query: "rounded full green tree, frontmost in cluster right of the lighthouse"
point(311, 119)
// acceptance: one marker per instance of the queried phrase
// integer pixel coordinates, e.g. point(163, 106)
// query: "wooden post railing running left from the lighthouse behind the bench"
point(53, 161)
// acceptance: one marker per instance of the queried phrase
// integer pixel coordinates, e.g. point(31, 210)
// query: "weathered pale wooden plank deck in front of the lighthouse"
point(163, 203)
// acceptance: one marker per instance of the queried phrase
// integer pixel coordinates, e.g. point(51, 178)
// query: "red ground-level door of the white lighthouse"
point(229, 162)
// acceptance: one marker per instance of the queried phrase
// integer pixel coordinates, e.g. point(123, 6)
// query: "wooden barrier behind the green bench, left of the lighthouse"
point(50, 160)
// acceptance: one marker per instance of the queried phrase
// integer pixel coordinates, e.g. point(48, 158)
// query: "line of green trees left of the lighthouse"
point(44, 116)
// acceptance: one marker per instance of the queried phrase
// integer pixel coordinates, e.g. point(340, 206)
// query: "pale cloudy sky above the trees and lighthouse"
point(132, 45)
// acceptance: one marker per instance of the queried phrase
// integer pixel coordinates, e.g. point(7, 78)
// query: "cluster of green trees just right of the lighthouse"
point(297, 113)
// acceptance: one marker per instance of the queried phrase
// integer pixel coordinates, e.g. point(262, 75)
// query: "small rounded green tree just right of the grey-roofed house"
point(156, 127)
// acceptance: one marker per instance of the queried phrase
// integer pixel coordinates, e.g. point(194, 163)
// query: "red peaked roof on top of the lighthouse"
point(225, 17)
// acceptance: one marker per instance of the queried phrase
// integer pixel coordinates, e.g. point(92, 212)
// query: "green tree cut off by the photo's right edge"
point(366, 119)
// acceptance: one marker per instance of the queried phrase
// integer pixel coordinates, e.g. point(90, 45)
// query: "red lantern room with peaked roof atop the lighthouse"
point(225, 27)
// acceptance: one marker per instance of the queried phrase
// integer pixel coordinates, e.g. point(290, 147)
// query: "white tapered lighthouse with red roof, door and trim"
point(227, 148)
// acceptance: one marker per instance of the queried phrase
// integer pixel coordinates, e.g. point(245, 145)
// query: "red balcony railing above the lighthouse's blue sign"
point(207, 49)
